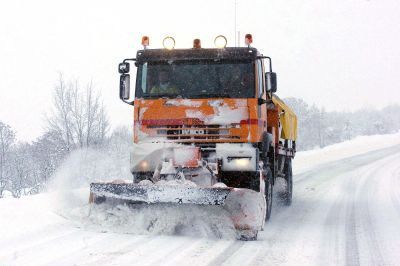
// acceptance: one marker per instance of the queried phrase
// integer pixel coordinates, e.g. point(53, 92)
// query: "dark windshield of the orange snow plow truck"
point(201, 79)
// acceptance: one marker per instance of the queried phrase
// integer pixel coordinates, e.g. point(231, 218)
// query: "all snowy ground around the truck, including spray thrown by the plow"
point(345, 211)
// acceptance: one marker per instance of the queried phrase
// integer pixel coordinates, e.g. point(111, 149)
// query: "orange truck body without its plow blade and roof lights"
point(211, 110)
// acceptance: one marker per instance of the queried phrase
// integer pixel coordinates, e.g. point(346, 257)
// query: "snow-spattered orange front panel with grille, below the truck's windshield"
point(160, 117)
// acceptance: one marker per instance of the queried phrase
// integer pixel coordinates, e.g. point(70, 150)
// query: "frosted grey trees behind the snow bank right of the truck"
point(318, 128)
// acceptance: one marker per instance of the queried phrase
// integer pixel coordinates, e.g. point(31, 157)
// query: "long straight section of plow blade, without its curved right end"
point(158, 194)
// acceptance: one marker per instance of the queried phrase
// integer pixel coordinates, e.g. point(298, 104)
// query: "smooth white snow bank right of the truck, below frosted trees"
point(306, 160)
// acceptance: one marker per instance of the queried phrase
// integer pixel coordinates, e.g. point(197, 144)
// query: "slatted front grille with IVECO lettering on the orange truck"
point(193, 133)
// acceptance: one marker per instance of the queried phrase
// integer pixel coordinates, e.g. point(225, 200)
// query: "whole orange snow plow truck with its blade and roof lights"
point(208, 130)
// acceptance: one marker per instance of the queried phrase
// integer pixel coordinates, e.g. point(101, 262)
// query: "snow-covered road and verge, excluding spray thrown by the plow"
point(344, 212)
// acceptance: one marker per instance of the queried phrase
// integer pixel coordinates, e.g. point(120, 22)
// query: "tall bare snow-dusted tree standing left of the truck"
point(78, 115)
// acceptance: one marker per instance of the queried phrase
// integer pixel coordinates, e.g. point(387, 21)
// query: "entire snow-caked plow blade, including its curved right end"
point(245, 207)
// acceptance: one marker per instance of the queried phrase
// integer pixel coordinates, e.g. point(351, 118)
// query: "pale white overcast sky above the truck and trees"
point(341, 54)
